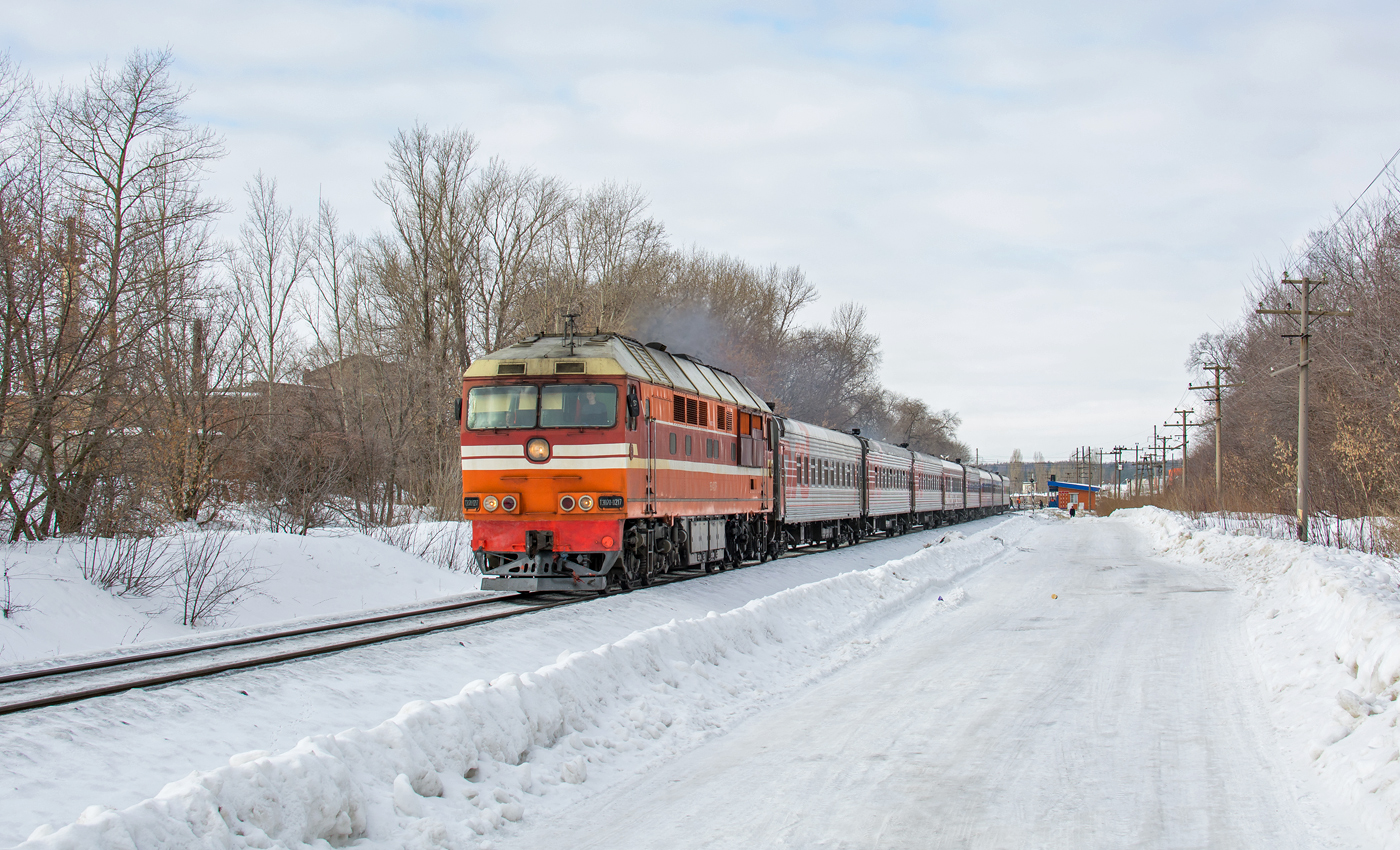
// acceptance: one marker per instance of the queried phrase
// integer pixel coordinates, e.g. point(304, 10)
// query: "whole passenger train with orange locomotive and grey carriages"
point(597, 461)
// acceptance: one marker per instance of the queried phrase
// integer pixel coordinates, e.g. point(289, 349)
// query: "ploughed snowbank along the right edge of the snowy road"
point(1326, 631)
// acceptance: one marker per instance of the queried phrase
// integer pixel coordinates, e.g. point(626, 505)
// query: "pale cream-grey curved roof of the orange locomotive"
point(614, 355)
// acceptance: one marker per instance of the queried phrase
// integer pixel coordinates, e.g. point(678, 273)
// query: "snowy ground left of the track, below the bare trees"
point(55, 611)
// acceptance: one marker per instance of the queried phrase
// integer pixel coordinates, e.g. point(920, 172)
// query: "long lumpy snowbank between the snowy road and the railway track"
point(446, 772)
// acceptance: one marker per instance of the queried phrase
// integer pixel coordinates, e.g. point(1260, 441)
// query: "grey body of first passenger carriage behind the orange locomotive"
point(807, 450)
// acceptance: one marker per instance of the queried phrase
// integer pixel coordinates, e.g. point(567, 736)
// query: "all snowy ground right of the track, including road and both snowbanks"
point(1028, 681)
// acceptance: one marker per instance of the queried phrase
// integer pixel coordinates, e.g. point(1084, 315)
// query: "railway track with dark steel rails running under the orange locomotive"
point(55, 685)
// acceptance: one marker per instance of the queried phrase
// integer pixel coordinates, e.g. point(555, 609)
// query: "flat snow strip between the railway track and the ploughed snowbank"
point(121, 750)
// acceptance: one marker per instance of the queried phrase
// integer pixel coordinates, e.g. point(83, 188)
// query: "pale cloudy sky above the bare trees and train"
point(1039, 204)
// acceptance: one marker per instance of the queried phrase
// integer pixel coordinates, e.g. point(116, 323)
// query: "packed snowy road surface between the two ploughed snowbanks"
point(1125, 713)
